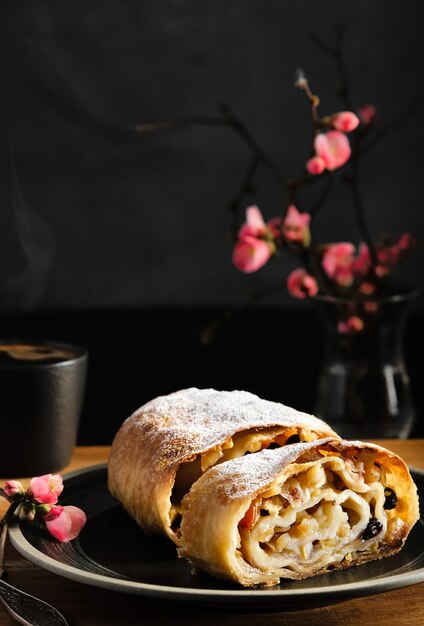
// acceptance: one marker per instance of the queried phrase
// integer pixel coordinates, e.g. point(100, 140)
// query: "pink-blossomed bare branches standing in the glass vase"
point(340, 269)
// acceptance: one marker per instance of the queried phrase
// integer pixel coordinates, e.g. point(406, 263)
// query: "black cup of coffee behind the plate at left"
point(41, 393)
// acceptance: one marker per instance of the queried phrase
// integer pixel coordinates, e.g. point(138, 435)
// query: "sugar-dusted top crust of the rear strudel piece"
point(191, 421)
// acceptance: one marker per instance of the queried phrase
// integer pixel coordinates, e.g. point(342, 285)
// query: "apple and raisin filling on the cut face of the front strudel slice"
point(332, 511)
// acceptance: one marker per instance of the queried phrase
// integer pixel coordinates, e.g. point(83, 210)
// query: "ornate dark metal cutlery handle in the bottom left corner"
point(27, 609)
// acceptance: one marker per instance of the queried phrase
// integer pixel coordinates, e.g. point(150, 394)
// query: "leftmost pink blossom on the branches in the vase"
point(255, 243)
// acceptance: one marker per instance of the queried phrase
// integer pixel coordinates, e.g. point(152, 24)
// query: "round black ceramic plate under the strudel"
point(113, 552)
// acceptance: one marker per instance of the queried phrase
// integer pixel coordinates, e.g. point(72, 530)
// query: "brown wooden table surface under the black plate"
point(89, 606)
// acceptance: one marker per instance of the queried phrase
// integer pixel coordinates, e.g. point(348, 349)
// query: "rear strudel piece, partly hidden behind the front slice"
point(190, 430)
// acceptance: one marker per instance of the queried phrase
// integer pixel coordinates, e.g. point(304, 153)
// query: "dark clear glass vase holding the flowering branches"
point(363, 385)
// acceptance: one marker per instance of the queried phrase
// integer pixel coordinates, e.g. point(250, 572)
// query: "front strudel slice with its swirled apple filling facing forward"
point(298, 511)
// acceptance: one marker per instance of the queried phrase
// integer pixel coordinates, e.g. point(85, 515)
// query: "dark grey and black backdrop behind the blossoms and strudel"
point(97, 221)
